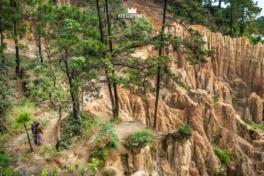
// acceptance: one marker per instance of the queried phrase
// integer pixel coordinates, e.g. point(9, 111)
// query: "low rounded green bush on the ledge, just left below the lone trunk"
point(141, 139)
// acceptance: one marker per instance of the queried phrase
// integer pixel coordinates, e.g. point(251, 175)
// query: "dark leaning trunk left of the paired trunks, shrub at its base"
point(75, 101)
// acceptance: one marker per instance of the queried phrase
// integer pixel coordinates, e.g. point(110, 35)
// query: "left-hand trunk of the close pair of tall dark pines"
point(106, 70)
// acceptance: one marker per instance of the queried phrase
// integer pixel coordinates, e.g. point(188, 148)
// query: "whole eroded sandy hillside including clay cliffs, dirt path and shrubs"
point(214, 128)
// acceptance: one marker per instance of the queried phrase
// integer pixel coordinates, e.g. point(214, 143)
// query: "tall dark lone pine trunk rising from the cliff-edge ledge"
point(158, 71)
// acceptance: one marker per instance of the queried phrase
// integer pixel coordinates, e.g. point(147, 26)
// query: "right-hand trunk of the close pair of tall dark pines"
point(116, 104)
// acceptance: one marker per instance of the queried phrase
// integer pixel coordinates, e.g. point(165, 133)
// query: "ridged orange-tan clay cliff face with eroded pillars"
point(231, 74)
